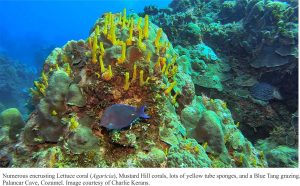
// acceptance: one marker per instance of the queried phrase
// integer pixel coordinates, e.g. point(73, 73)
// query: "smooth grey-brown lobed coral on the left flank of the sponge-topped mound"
point(50, 108)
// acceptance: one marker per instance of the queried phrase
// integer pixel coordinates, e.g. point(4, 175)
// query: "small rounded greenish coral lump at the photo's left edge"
point(12, 120)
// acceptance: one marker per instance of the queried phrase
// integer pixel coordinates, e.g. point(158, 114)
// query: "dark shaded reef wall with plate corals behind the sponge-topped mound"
point(255, 47)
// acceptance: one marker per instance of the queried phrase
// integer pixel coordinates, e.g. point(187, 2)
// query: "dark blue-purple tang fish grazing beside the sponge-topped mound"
point(120, 116)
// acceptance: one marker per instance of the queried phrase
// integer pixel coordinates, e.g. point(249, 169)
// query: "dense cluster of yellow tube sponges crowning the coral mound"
point(141, 51)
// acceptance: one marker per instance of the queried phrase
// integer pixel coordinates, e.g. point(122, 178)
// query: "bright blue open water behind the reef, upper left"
point(30, 29)
